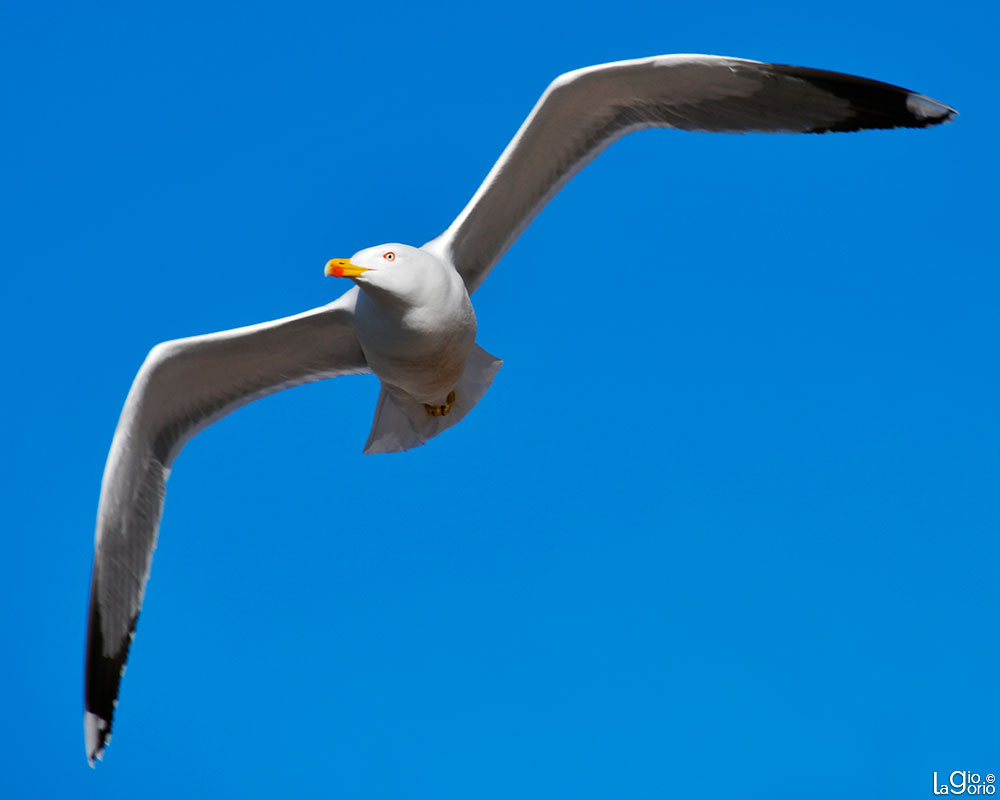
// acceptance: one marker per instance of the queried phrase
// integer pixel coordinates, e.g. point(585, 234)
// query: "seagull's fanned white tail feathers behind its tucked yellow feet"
point(401, 423)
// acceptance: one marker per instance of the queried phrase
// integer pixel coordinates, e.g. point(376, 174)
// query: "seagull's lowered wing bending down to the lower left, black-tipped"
point(183, 387)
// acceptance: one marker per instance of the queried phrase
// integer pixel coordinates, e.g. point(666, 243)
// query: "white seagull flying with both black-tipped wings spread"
point(408, 319)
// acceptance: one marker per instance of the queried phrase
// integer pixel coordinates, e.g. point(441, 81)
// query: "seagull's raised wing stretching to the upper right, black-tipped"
point(582, 112)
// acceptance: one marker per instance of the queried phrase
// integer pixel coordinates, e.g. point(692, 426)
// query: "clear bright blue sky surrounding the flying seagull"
point(726, 524)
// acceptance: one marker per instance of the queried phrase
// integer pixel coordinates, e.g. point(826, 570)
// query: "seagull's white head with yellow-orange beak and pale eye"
point(398, 270)
